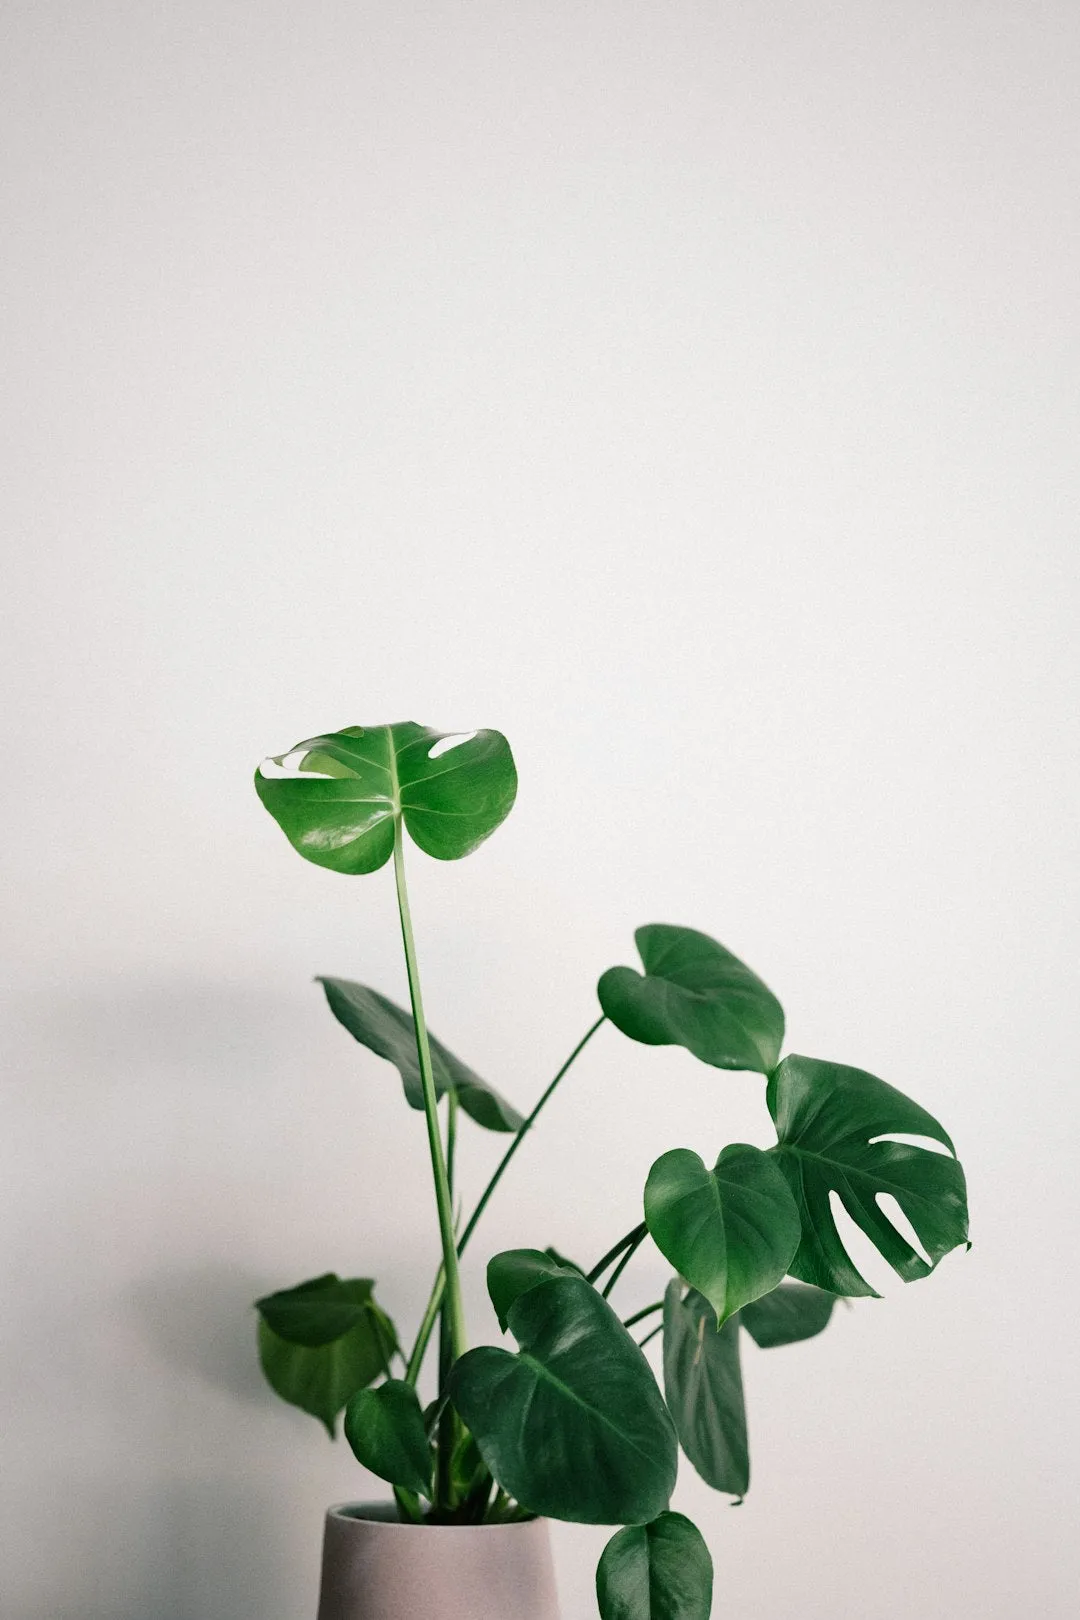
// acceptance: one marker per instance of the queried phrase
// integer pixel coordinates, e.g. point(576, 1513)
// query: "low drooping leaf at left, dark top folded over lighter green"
point(321, 1342)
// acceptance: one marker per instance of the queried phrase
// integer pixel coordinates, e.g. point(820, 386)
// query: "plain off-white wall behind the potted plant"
point(689, 391)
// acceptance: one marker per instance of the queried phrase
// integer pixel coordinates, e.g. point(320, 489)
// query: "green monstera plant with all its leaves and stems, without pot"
point(572, 1423)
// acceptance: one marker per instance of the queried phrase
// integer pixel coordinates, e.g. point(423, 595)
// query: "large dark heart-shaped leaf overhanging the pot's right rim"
point(574, 1426)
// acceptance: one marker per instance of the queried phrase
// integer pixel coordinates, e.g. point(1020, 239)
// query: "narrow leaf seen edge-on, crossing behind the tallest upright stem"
point(389, 1031)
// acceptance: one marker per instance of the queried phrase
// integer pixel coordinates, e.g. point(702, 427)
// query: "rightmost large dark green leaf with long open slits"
point(830, 1122)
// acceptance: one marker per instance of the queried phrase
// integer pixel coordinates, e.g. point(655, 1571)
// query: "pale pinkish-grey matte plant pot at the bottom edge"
point(378, 1569)
